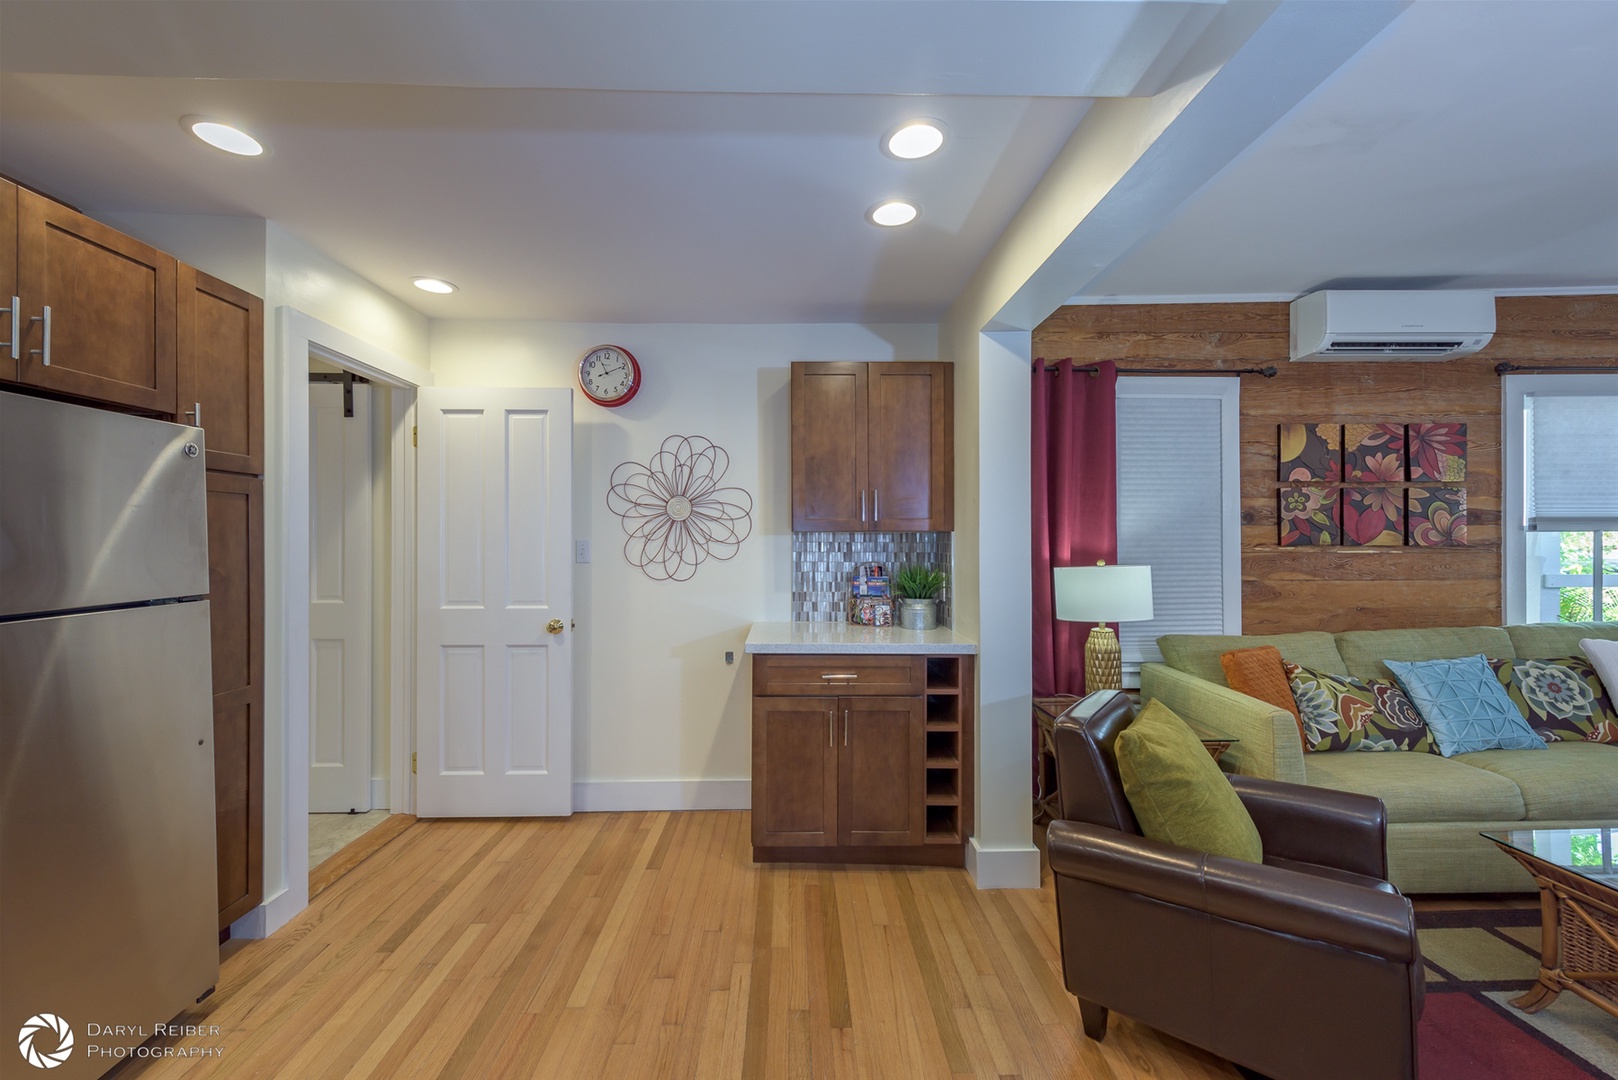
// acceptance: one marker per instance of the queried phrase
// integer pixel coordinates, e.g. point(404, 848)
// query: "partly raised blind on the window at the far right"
point(1572, 462)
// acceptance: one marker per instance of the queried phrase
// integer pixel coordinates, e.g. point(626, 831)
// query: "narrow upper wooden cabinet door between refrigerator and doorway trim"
point(221, 370)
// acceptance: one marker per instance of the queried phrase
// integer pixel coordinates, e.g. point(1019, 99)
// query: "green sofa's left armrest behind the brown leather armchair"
point(1268, 738)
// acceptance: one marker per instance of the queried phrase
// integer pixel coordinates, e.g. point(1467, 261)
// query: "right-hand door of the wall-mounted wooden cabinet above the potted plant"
point(912, 467)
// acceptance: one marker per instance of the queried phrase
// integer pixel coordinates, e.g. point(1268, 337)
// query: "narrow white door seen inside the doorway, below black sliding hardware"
point(339, 600)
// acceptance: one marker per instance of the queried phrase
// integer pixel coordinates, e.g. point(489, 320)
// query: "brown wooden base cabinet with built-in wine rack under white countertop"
point(862, 775)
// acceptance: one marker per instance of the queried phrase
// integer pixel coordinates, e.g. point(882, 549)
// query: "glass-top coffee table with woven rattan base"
point(1578, 893)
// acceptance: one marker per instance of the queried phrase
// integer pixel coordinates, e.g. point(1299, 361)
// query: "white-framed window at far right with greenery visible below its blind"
point(1561, 524)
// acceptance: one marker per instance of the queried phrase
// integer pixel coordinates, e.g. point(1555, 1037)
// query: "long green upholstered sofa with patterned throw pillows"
point(1436, 806)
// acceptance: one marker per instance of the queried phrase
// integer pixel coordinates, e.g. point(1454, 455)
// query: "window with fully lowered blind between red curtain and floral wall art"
point(1180, 506)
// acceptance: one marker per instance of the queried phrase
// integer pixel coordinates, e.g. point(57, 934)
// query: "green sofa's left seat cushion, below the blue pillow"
point(1421, 788)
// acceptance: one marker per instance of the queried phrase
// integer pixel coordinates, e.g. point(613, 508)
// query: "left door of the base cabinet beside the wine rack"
point(795, 772)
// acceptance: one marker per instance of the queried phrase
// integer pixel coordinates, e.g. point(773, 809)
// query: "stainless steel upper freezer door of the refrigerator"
point(98, 508)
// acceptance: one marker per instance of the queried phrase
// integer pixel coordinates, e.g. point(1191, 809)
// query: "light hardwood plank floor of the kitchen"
point(650, 945)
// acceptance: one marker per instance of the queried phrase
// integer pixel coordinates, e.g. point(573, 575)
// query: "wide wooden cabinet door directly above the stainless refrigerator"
point(112, 308)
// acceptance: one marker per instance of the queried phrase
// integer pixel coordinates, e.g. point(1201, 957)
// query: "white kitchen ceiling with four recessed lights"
point(611, 161)
